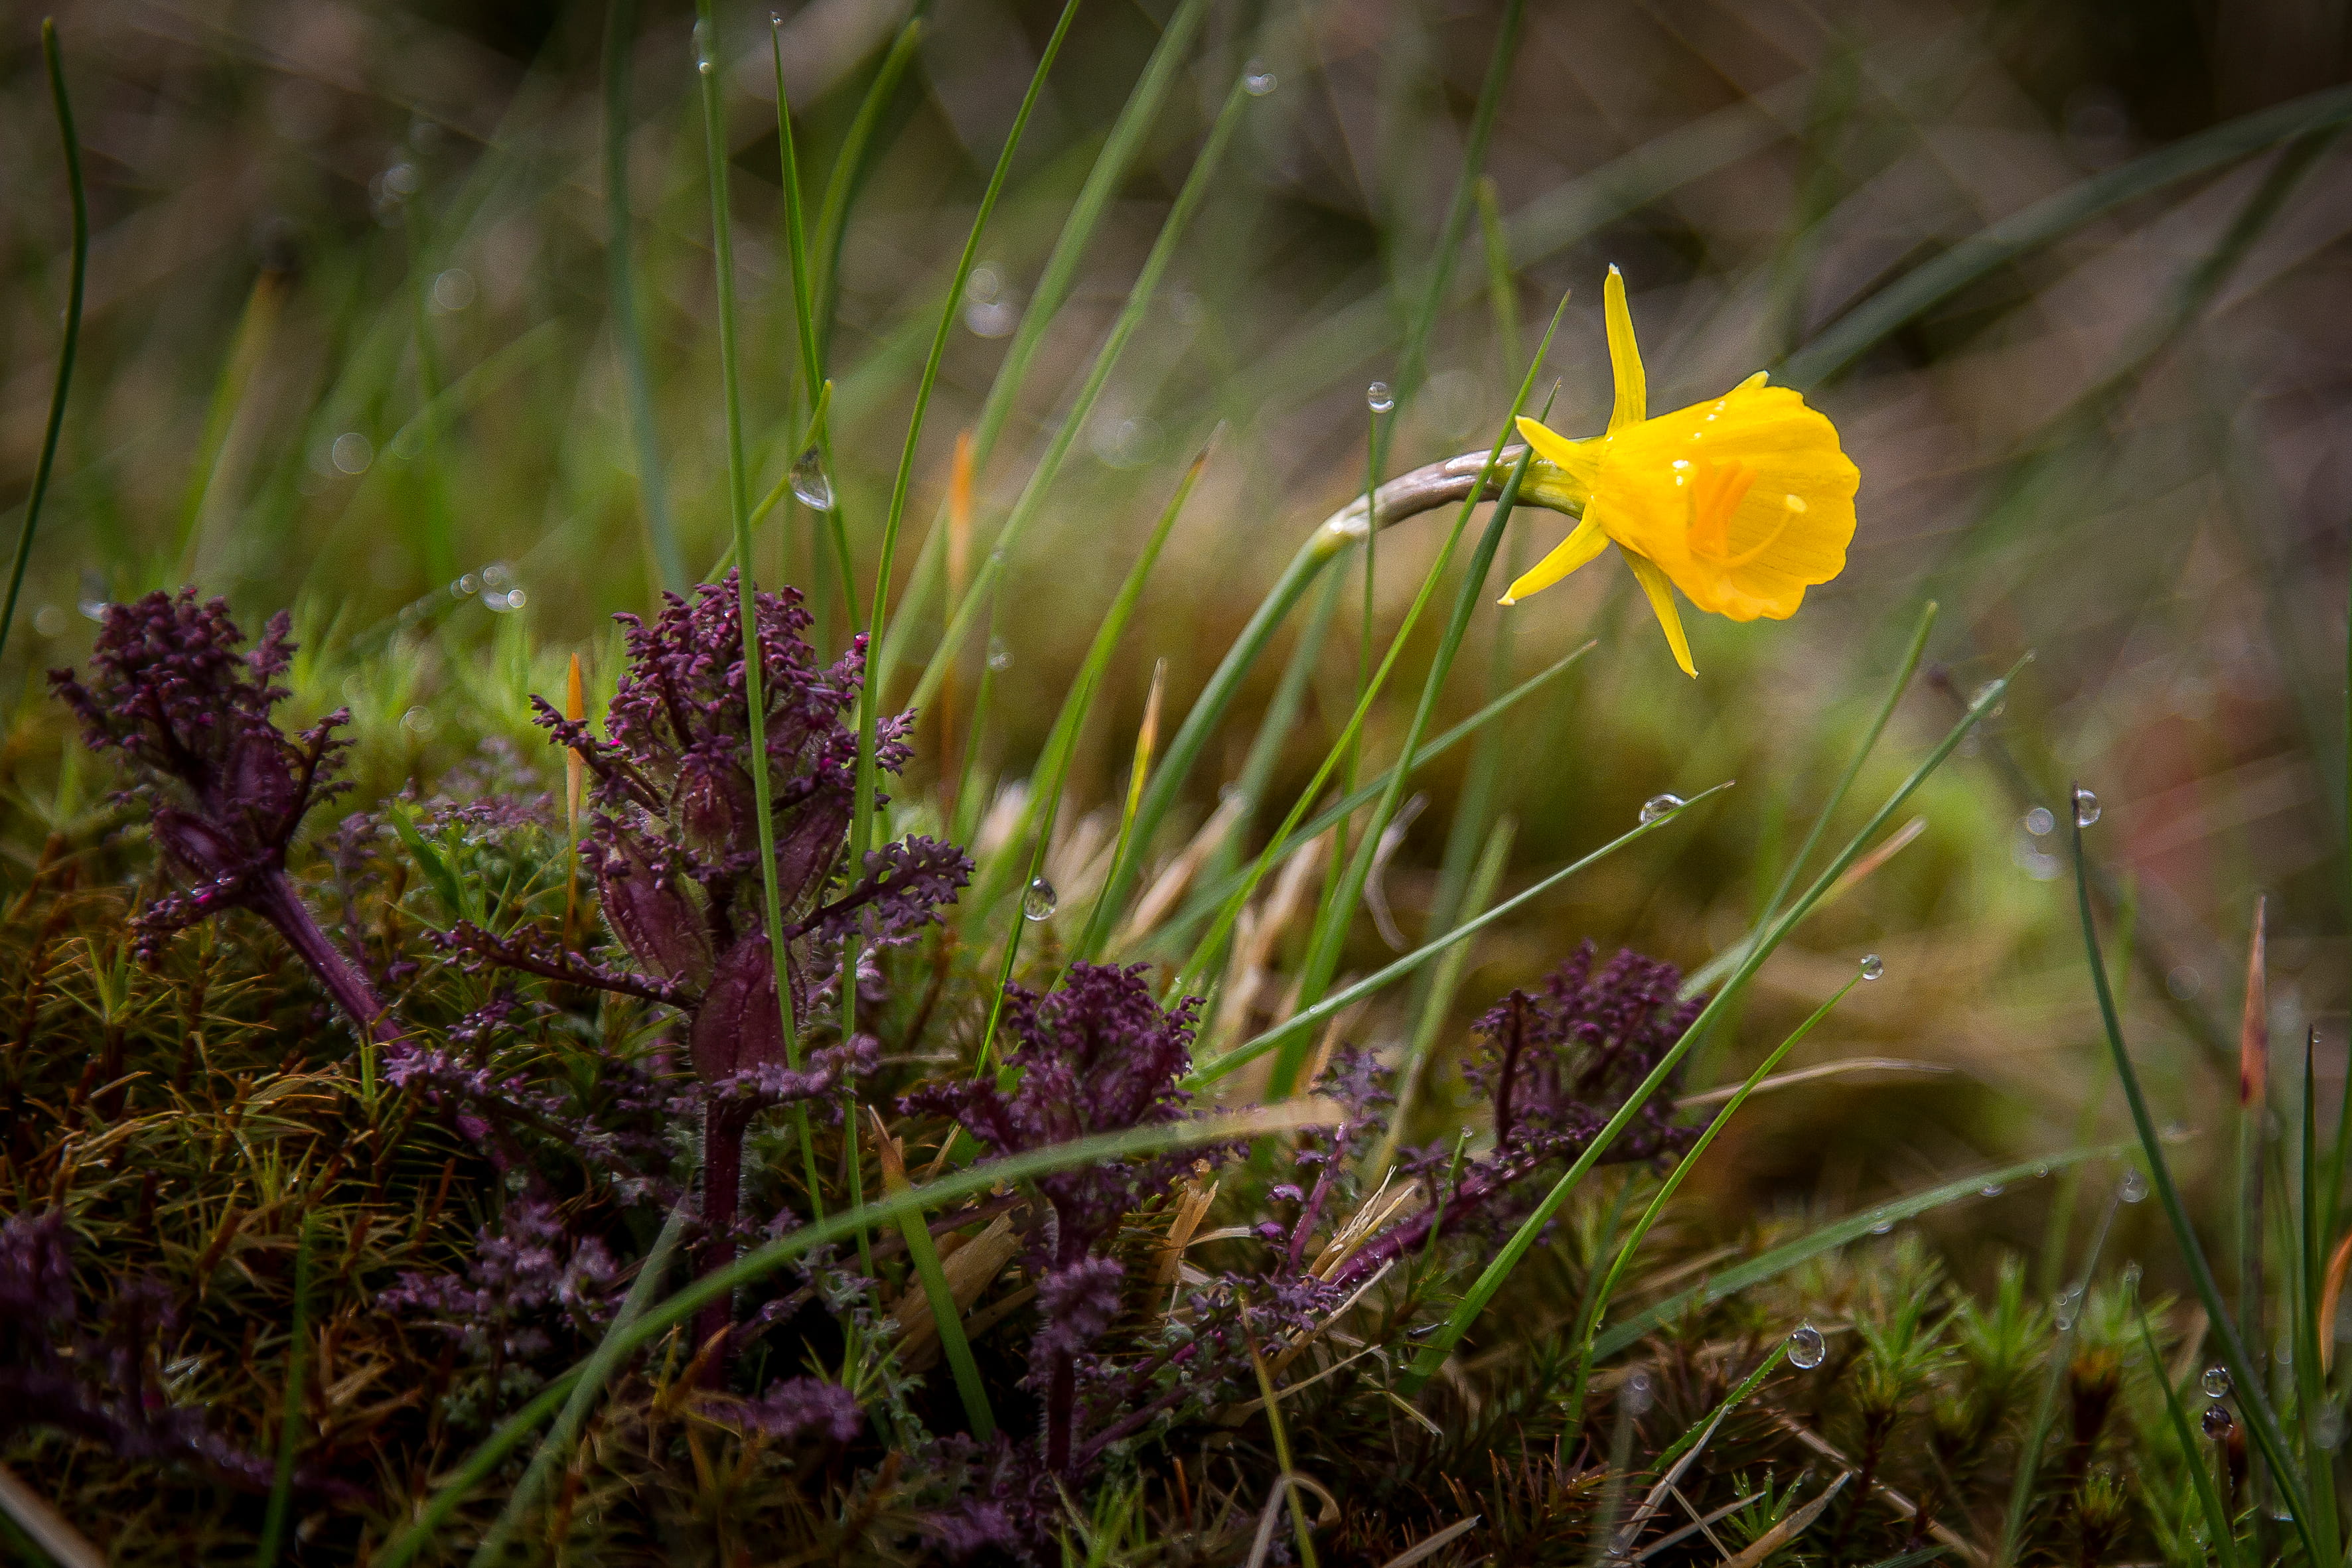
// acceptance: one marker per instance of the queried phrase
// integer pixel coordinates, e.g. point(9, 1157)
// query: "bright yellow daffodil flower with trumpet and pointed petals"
point(1742, 504)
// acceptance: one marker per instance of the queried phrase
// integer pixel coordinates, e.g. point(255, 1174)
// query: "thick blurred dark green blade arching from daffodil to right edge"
point(2052, 217)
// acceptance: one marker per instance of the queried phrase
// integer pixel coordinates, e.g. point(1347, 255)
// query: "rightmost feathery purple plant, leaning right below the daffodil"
point(1556, 1066)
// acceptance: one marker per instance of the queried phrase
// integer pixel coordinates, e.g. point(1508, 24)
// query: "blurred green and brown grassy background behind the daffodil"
point(352, 349)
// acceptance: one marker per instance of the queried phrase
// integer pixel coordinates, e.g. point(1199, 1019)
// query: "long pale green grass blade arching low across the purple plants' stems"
point(763, 1261)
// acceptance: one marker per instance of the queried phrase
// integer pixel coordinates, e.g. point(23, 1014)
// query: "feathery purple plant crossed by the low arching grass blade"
point(1095, 1057)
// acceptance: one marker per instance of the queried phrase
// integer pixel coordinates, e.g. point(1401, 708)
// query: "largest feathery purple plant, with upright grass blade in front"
point(676, 857)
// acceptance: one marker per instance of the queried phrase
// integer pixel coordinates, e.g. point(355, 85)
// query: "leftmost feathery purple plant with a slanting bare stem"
point(222, 784)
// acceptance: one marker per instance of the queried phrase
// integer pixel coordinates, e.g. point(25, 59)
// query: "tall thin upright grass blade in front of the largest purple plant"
point(747, 589)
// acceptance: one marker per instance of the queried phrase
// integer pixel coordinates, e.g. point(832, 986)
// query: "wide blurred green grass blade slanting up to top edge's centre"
point(1053, 293)
